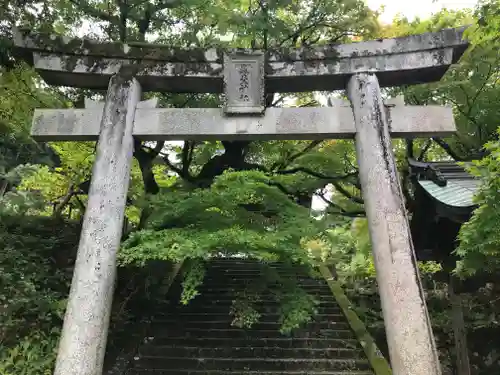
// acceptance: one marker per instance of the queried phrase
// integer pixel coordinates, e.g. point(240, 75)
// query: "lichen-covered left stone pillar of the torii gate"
point(83, 340)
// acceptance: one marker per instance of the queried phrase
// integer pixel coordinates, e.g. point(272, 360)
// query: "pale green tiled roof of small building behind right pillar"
point(456, 193)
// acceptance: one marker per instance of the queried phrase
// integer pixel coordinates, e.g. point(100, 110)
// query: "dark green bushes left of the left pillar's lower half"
point(33, 291)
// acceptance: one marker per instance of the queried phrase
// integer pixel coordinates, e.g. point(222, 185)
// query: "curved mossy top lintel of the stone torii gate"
point(89, 64)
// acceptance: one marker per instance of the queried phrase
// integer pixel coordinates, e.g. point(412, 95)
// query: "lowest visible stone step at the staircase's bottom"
point(250, 364)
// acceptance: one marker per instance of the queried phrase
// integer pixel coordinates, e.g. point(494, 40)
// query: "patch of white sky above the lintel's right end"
point(416, 8)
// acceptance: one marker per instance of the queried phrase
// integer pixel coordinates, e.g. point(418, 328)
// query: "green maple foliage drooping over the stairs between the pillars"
point(239, 214)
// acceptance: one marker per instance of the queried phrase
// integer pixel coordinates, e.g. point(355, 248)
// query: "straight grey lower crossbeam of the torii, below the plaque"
point(210, 123)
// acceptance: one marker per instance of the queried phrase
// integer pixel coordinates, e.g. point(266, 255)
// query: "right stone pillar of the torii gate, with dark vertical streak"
point(411, 343)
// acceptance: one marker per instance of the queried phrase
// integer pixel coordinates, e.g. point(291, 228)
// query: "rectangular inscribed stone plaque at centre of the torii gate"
point(244, 83)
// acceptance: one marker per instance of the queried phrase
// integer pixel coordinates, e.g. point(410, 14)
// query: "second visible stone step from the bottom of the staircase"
point(246, 352)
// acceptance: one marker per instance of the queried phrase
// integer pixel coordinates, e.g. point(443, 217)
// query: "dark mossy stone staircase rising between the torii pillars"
point(198, 339)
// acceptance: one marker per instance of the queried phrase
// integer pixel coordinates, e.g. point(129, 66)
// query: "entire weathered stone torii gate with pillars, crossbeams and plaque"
point(244, 76)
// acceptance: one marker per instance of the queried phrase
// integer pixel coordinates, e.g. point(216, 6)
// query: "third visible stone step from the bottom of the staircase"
point(239, 333)
